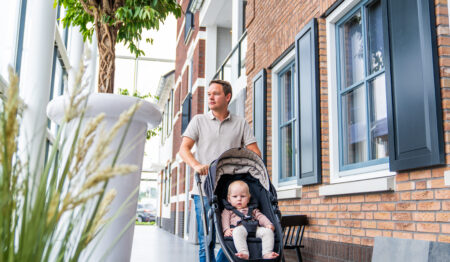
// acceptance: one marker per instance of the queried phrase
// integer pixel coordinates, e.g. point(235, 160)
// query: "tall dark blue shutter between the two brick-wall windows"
point(306, 60)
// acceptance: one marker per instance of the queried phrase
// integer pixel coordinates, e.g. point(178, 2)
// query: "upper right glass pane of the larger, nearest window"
point(375, 38)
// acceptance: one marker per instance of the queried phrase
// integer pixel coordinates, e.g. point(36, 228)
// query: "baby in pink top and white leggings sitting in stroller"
point(238, 197)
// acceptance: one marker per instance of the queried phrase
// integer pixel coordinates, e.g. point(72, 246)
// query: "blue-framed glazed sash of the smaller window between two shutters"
point(287, 118)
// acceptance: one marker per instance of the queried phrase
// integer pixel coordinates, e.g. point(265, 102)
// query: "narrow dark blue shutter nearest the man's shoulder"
point(259, 111)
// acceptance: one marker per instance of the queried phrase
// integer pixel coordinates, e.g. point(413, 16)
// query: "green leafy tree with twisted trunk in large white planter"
point(116, 21)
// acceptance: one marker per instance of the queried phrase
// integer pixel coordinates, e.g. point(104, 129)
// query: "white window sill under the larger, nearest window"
point(362, 186)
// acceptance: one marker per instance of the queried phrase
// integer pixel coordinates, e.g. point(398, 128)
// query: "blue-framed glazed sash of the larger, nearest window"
point(363, 134)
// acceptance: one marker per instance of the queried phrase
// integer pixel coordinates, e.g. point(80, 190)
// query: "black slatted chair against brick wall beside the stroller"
point(293, 229)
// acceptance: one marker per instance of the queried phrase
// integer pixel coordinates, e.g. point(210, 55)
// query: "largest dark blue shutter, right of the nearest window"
point(412, 85)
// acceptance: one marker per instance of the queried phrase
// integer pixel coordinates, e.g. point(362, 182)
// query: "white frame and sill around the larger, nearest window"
point(359, 174)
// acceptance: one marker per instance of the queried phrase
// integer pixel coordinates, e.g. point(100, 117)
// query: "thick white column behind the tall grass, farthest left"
point(35, 77)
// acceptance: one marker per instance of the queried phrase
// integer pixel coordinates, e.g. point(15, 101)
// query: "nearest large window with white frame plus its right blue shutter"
point(383, 91)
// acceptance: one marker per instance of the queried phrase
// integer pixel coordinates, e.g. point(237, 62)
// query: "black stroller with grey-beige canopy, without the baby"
point(239, 164)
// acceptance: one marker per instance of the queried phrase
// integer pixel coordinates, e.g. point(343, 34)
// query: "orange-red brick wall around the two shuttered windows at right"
point(419, 208)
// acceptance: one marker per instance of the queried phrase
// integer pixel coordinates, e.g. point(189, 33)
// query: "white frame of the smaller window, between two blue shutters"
point(289, 189)
